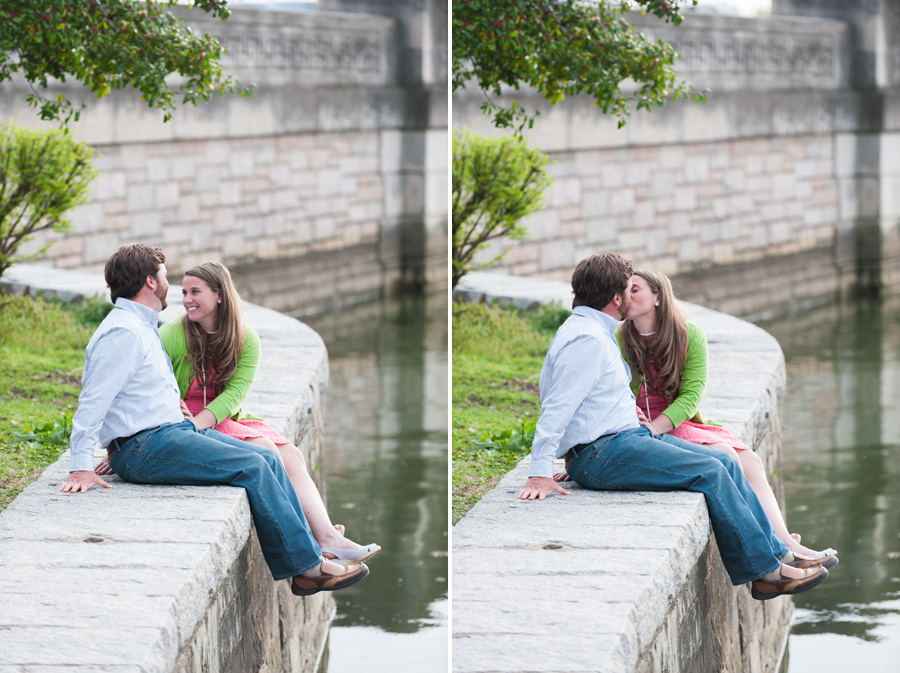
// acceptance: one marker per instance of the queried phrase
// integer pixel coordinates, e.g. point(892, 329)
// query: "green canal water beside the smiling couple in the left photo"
point(386, 468)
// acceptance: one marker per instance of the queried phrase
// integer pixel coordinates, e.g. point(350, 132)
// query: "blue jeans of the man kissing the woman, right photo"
point(635, 460)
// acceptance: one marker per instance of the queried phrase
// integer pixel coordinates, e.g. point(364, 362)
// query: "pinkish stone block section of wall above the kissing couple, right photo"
point(752, 193)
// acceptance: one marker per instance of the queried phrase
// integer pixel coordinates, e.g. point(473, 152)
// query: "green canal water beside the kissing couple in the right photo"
point(841, 472)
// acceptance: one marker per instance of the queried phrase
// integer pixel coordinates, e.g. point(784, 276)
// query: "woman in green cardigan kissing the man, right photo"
point(668, 360)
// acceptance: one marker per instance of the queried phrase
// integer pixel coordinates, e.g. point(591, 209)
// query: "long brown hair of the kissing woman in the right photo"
point(666, 347)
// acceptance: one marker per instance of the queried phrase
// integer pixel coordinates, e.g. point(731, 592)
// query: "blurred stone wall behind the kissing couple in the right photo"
point(788, 161)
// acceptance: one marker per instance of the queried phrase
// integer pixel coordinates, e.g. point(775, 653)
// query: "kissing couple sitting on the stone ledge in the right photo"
point(612, 440)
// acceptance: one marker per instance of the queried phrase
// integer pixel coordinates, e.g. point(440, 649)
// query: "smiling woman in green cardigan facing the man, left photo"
point(215, 358)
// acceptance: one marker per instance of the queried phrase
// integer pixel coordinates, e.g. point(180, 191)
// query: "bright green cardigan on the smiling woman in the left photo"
point(228, 403)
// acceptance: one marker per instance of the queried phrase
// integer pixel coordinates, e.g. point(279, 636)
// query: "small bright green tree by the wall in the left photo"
point(42, 175)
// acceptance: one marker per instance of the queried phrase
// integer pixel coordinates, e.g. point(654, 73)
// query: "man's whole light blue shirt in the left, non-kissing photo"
point(128, 384)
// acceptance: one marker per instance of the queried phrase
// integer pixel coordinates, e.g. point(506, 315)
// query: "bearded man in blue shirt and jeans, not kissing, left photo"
point(130, 403)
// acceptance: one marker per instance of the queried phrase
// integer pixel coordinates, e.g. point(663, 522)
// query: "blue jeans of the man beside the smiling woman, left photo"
point(181, 454)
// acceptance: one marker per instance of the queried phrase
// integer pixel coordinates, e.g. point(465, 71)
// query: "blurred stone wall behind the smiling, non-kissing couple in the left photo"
point(336, 151)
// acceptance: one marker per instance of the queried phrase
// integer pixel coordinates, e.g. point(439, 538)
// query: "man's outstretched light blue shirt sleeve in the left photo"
point(113, 361)
